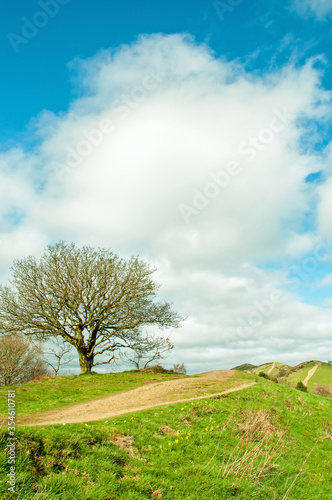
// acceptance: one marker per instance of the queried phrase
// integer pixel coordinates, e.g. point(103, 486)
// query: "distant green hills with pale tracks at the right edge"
point(315, 375)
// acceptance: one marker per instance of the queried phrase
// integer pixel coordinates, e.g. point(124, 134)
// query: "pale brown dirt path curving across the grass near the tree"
point(141, 398)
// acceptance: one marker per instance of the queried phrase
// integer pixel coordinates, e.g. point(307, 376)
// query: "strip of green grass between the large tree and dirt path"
point(50, 393)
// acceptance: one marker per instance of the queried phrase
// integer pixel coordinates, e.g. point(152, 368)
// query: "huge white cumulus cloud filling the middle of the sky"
point(185, 158)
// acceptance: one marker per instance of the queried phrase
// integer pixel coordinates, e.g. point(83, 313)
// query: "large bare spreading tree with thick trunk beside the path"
point(93, 299)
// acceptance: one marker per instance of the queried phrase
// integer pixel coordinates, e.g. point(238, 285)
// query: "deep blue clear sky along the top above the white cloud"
point(37, 77)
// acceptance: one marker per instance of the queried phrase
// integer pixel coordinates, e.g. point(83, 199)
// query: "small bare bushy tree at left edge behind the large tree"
point(20, 360)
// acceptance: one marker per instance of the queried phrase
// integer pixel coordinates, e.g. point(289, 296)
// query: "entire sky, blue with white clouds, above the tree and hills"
point(217, 168)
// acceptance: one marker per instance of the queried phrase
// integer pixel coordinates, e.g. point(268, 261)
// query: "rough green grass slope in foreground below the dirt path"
point(256, 443)
